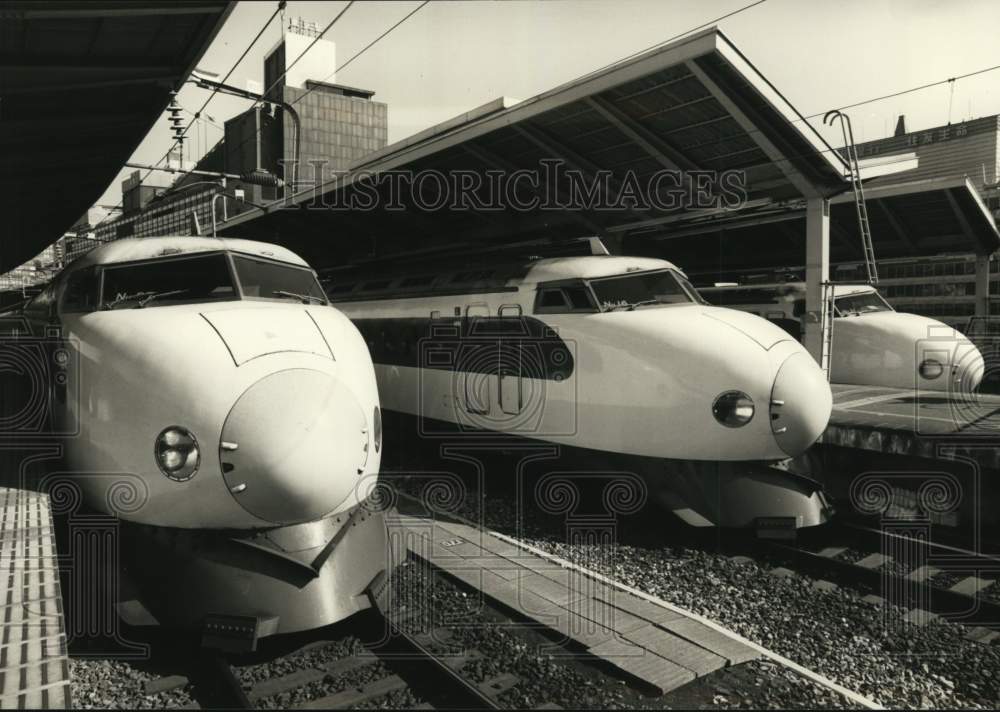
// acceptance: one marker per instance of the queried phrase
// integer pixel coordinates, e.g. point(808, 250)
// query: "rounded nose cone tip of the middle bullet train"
point(801, 403)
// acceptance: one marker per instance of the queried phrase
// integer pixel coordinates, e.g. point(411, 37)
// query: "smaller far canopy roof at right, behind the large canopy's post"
point(907, 219)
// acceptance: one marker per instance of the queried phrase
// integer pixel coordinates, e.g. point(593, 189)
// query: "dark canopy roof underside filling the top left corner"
point(82, 83)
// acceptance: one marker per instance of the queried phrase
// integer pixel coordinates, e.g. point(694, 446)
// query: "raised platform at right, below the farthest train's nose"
point(911, 422)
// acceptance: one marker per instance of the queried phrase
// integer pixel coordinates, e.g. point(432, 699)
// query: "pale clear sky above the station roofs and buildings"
point(453, 56)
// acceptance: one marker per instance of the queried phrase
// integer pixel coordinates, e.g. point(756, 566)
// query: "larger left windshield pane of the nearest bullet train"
point(184, 280)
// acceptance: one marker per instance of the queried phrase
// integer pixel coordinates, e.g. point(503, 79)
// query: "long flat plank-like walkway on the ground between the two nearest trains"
point(655, 644)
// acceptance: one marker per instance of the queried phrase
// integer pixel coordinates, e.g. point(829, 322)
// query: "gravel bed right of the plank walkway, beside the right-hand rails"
point(864, 647)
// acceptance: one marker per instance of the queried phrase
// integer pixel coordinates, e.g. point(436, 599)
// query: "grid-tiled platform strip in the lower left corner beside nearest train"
point(34, 669)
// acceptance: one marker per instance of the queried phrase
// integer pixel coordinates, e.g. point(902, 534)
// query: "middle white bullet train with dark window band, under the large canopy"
point(608, 356)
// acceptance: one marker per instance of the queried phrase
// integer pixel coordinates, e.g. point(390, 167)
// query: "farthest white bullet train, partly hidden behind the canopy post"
point(873, 344)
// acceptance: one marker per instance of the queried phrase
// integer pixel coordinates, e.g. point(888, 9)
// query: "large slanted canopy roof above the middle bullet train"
point(696, 104)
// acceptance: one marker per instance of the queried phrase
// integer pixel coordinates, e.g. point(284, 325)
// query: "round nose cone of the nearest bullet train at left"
point(293, 445)
